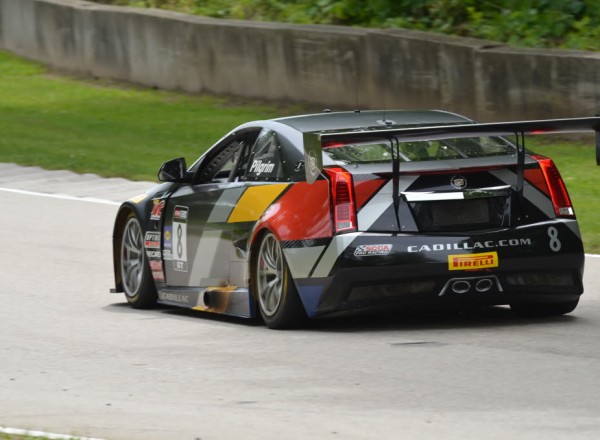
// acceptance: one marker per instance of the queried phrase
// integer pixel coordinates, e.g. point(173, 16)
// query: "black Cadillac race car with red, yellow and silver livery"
point(305, 216)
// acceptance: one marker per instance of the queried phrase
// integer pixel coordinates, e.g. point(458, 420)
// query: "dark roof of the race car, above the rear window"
point(379, 119)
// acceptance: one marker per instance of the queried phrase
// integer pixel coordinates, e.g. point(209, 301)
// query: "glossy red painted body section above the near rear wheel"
point(301, 213)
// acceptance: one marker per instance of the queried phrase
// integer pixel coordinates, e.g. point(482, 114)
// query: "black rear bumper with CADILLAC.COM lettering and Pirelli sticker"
point(527, 270)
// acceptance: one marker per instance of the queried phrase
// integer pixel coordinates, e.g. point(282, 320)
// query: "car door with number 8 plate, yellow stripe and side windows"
point(207, 223)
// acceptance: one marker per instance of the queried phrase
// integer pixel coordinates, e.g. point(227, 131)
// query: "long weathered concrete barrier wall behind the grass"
point(336, 67)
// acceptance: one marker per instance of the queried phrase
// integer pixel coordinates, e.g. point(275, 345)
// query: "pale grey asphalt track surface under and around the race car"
point(76, 360)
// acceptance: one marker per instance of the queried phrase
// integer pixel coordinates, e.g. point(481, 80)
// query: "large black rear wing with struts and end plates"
point(313, 150)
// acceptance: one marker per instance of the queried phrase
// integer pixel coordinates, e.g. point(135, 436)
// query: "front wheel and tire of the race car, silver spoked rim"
point(137, 281)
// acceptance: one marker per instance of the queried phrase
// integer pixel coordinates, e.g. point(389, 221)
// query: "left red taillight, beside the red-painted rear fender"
point(342, 200)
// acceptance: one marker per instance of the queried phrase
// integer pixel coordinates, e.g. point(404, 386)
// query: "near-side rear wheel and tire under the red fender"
point(278, 300)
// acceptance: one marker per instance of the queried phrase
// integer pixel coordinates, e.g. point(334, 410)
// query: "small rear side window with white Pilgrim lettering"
point(265, 160)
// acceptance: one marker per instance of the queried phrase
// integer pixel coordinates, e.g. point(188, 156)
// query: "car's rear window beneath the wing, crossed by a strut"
point(440, 149)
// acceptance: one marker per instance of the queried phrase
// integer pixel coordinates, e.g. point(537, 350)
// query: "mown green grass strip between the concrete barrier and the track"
point(110, 129)
